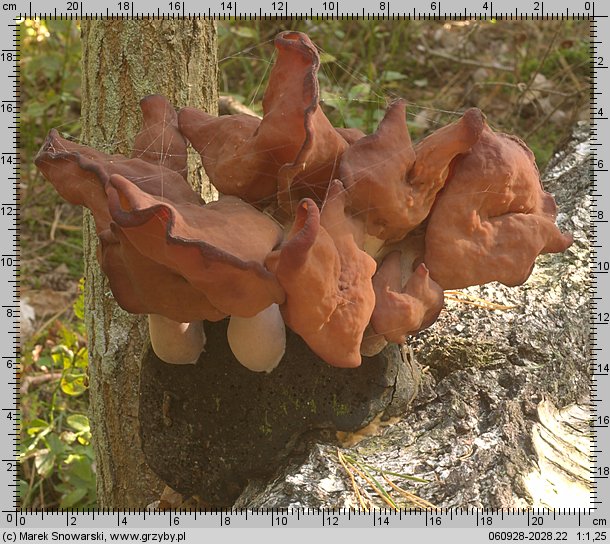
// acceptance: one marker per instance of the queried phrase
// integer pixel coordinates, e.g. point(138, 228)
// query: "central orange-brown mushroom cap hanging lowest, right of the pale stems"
point(327, 279)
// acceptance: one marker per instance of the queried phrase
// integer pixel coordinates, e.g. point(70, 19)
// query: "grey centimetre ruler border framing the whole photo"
point(585, 525)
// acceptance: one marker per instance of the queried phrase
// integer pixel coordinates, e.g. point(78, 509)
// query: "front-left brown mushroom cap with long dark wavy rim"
point(218, 248)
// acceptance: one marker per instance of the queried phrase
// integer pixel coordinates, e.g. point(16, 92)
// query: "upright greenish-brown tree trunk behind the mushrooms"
point(123, 61)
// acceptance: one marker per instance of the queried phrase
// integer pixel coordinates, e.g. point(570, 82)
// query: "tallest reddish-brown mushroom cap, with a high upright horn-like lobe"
point(293, 145)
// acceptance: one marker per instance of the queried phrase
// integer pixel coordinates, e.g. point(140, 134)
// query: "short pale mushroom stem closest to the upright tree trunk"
point(176, 343)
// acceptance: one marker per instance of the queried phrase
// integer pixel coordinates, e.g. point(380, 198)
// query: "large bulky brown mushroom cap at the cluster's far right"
point(493, 218)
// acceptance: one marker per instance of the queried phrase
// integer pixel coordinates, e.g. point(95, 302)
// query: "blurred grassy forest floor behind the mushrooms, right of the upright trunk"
point(364, 65)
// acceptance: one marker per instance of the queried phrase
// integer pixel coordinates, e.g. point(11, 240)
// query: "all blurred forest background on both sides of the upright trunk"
point(530, 79)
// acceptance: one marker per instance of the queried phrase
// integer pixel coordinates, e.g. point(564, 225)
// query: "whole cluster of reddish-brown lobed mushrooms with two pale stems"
point(348, 239)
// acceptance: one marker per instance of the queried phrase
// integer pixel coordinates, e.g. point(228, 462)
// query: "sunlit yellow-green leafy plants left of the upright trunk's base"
point(55, 452)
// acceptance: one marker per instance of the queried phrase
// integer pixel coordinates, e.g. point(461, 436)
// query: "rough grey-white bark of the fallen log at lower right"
point(503, 420)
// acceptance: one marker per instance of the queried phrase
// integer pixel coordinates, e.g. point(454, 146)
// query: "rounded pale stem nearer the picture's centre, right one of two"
point(258, 342)
